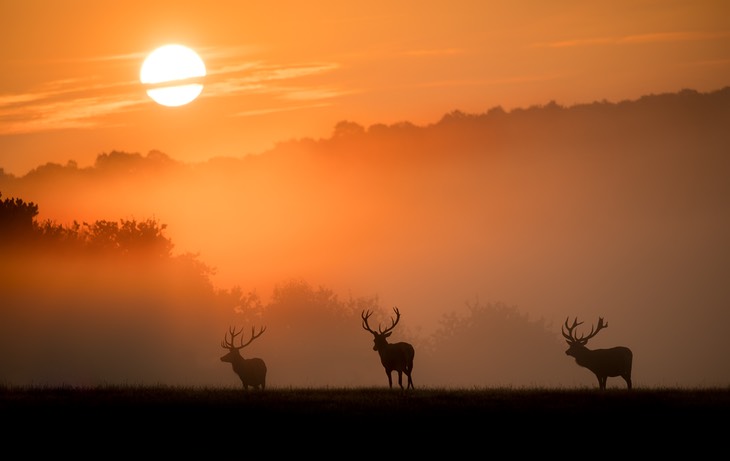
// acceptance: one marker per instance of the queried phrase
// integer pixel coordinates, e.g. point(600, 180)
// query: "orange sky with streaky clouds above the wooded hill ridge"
point(279, 70)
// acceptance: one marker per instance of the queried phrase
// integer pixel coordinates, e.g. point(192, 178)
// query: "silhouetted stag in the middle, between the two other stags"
point(394, 357)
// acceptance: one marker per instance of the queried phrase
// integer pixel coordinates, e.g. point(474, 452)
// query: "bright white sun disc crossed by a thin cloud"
point(173, 75)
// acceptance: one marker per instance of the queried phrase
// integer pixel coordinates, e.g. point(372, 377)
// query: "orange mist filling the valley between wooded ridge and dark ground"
point(486, 230)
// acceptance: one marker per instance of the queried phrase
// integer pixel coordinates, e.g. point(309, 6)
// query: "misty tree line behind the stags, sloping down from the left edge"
point(110, 302)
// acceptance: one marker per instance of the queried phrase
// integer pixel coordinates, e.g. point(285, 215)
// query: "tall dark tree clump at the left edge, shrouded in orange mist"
point(113, 301)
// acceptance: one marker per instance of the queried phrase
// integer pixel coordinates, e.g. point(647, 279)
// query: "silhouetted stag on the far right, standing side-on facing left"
point(604, 363)
